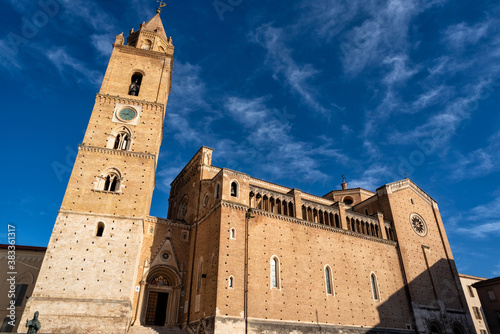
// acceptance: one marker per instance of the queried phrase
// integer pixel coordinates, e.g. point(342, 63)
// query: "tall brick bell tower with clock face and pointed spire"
point(86, 283)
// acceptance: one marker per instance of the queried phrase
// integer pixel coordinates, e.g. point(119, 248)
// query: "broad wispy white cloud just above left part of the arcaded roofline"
point(268, 140)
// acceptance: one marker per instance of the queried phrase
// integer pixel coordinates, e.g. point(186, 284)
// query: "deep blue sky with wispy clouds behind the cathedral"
point(297, 93)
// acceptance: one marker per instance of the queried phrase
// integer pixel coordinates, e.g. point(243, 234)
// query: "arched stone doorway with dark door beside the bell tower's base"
point(160, 303)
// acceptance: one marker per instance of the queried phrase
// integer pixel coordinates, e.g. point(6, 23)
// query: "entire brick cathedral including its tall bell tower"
point(235, 254)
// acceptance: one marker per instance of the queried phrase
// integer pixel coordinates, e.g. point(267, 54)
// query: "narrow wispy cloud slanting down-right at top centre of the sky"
point(284, 66)
